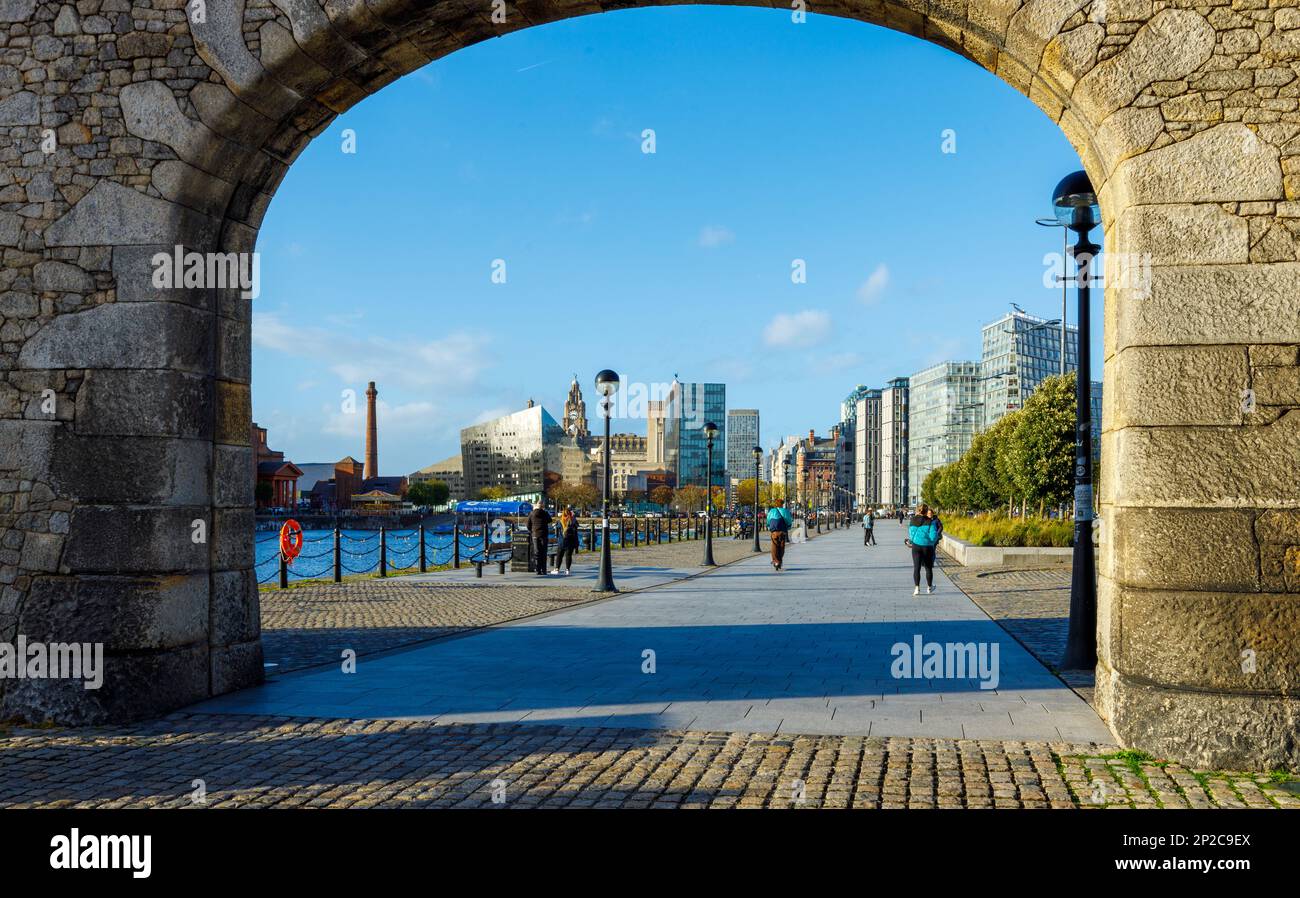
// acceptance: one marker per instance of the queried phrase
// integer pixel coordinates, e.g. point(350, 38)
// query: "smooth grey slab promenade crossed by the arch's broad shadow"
point(743, 649)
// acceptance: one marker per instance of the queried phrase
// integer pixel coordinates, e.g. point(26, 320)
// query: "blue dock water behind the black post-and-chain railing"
point(361, 552)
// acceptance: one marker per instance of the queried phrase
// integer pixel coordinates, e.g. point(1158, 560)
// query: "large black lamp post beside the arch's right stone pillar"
point(1077, 209)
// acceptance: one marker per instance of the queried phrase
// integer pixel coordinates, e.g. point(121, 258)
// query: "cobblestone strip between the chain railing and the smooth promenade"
point(313, 624)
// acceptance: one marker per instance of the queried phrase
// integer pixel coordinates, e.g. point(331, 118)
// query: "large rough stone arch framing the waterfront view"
point(176, 132)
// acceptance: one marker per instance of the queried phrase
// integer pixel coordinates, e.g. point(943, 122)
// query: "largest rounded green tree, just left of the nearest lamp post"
point(1042, 445)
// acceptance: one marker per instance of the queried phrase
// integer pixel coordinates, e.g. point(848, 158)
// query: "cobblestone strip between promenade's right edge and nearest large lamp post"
point(1030, 604)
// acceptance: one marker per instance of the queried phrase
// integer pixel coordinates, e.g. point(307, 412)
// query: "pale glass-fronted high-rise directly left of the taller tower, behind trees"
point(944, 417)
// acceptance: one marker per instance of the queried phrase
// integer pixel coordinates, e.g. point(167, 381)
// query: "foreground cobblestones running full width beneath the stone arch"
point(270, 762)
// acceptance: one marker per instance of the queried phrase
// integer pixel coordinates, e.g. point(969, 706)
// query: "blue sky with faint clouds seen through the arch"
point(775, 142)
